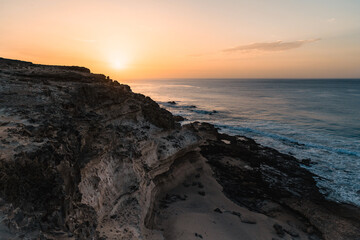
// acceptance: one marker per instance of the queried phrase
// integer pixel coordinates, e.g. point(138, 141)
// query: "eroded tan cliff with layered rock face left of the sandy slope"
point(79, 152)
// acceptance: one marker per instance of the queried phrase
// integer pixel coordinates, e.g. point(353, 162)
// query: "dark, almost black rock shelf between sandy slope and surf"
point(253, 175)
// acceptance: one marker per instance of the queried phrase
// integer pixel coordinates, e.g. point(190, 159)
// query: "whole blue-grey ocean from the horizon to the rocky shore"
point(307, 118)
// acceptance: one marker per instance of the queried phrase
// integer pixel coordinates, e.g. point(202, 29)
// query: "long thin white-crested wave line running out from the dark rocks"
point(290, 140)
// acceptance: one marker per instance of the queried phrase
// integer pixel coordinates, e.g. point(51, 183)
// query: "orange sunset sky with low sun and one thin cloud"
point(161, 39)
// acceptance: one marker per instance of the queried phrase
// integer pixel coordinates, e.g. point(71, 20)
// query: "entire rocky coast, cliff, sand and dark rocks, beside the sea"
point(83, 157)
